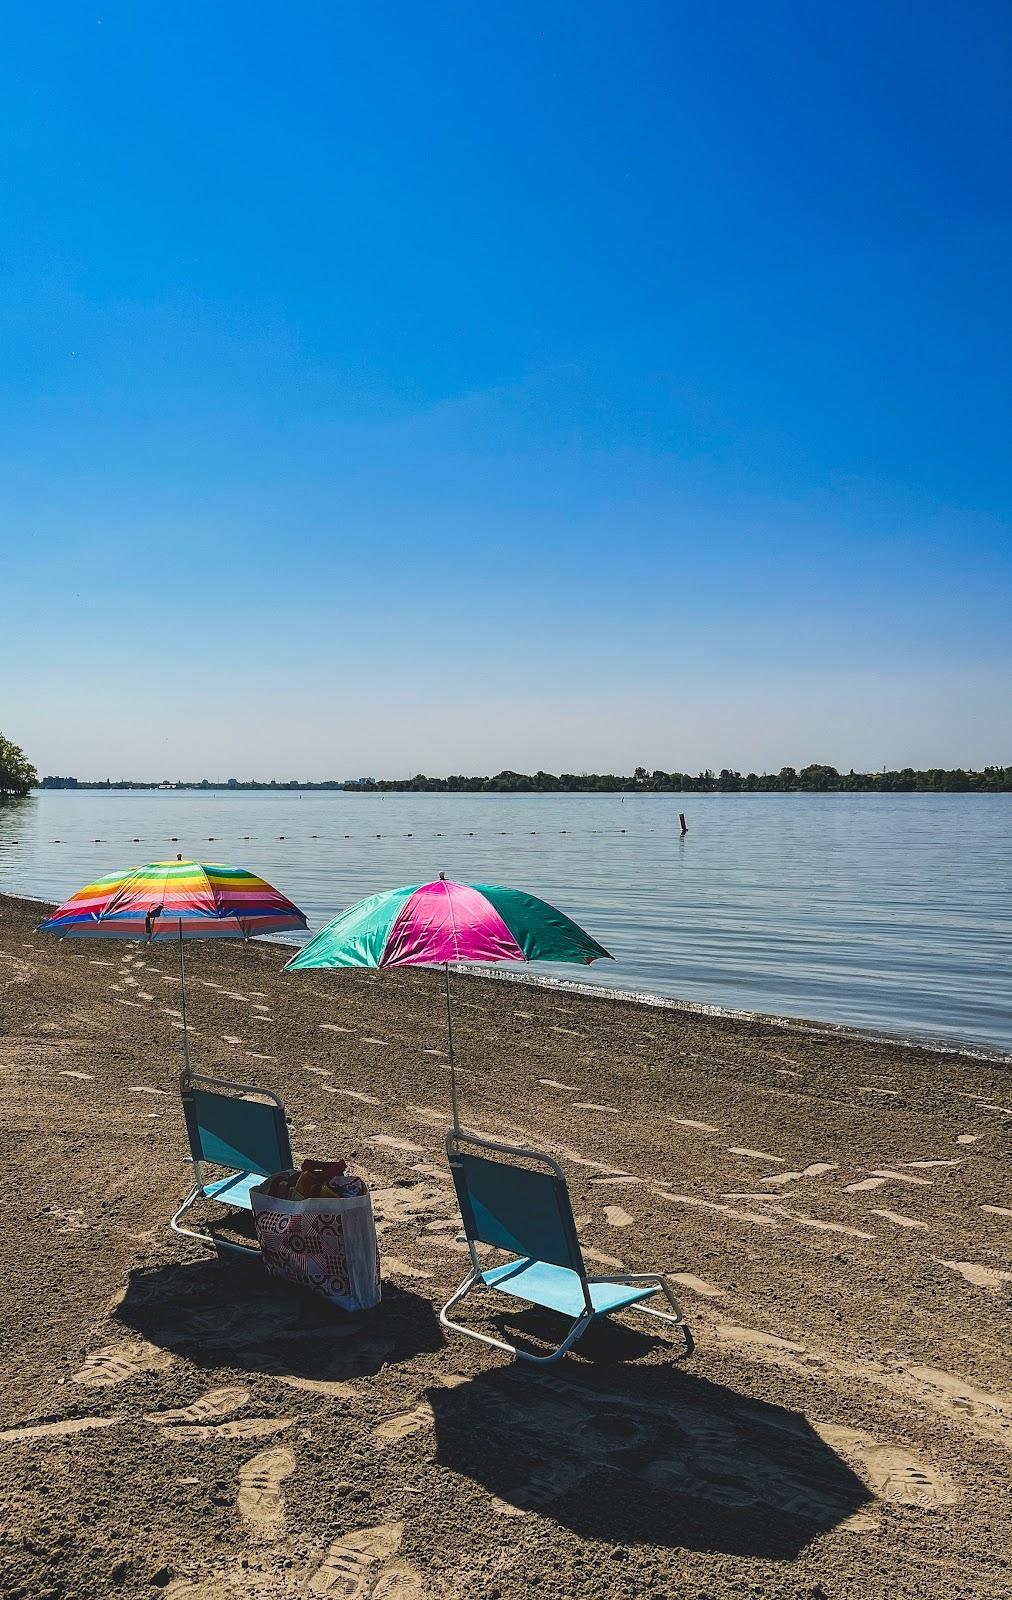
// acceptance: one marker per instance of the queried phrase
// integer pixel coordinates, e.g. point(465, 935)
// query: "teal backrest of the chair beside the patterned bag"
point(228, 1130)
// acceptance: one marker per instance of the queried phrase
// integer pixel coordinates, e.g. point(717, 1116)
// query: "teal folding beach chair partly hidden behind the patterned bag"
point(230, 1129)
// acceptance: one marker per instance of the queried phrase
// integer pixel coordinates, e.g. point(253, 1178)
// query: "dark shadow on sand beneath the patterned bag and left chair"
point(230, 1314)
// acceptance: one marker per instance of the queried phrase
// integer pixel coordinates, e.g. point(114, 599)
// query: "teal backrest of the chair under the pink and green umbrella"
point(513, 1207)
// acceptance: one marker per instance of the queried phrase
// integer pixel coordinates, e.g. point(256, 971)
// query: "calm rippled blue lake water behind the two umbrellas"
point(881, 911)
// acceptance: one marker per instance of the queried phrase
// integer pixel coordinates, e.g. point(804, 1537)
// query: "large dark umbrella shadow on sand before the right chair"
point(656, 1455)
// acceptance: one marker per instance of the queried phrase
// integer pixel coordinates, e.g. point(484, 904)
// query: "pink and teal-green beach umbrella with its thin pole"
point(443, 924)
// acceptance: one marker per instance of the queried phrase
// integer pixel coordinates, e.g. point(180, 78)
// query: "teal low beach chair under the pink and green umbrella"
point(529, 1214)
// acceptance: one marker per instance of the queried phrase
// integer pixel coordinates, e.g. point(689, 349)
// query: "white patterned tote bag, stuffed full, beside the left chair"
point(323, 1246)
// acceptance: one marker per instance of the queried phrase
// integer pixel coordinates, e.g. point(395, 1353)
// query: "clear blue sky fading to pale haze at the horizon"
point(452, 388)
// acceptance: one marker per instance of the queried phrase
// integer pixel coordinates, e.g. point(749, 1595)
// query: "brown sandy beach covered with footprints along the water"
point(835, 1210)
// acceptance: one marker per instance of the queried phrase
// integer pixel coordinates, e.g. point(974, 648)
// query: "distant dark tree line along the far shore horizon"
point(809, 780)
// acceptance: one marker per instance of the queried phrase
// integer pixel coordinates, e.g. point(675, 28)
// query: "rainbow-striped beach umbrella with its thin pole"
point(175, 900)
